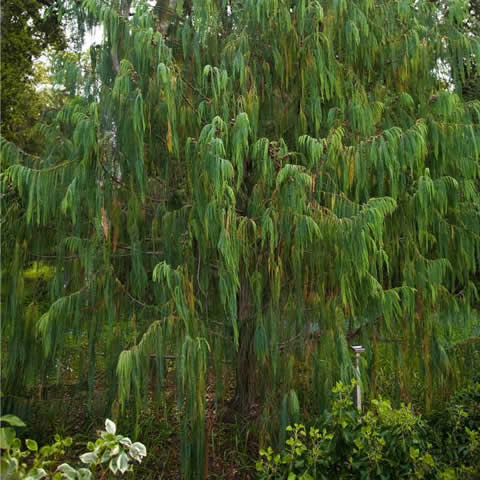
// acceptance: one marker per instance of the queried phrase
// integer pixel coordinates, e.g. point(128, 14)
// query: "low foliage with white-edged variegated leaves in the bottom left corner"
point(36, 463)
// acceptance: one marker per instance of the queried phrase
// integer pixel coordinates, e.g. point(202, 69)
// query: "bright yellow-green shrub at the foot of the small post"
point(383, 443)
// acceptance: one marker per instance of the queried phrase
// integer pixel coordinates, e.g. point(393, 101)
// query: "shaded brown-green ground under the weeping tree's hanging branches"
point(231, 450)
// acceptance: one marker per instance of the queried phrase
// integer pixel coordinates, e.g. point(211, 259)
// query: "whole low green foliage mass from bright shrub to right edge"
point(384, 443)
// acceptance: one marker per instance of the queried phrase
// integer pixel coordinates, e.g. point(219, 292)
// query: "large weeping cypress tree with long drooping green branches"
point(250, 187)
